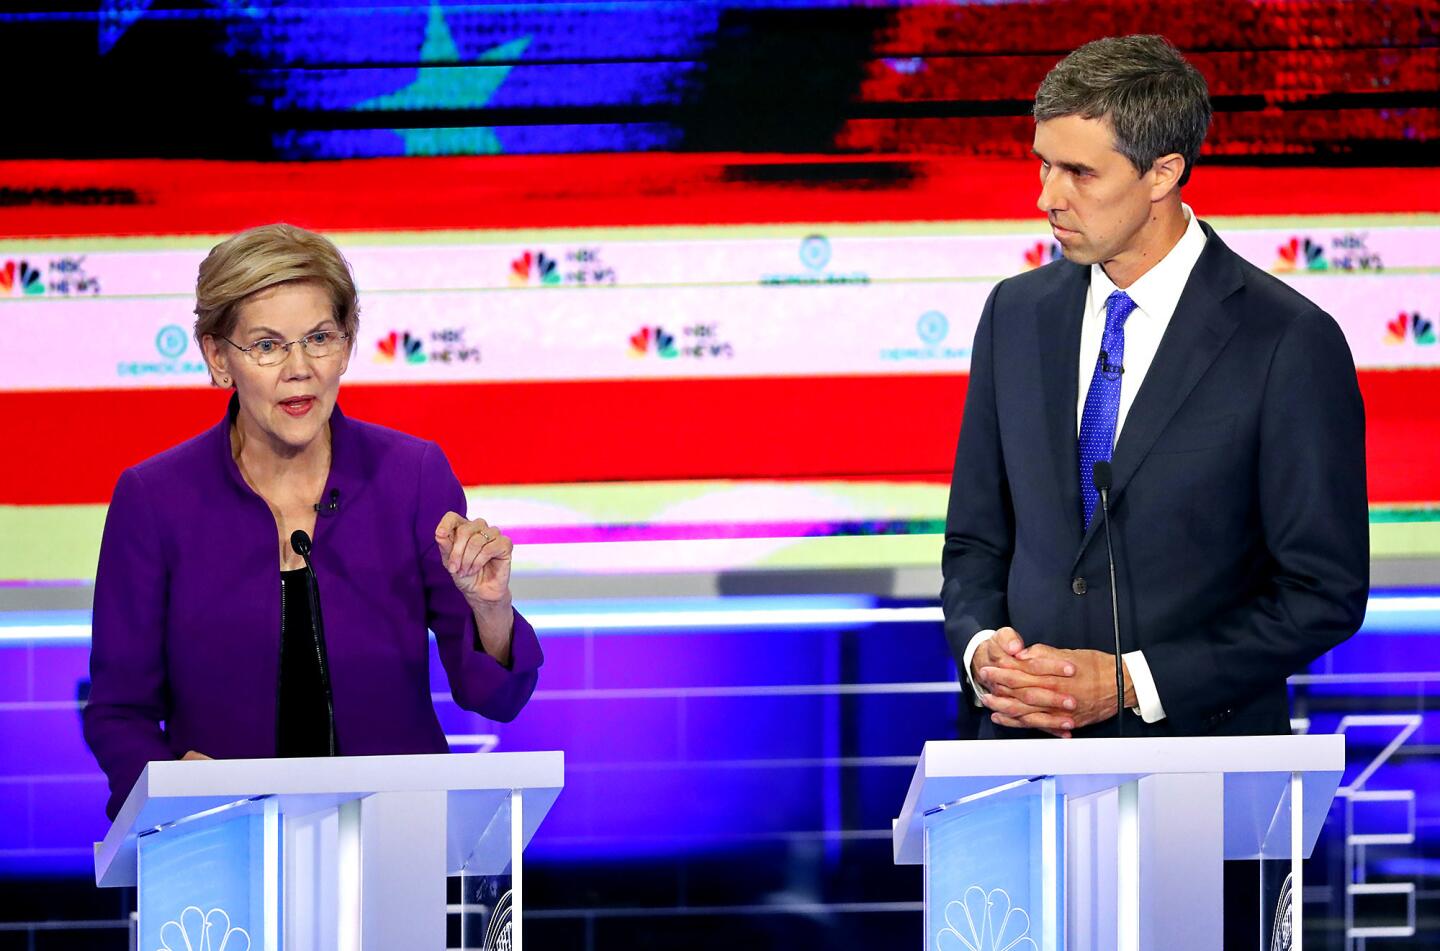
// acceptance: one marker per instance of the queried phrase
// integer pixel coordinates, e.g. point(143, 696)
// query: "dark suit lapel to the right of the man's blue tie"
point(1197, 334)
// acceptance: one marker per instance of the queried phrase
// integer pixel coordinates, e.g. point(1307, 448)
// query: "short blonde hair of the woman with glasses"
point(264, 257)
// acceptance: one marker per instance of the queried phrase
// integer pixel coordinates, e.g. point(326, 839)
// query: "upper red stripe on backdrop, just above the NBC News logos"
point(617, 191)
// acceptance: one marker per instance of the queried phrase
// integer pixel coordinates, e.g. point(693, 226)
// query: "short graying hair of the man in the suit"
point(1156, 102)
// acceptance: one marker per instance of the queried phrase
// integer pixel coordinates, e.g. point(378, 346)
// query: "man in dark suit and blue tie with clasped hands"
point(1230, 413)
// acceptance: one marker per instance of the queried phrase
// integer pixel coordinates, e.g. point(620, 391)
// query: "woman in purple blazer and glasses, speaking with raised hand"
point(211, 639)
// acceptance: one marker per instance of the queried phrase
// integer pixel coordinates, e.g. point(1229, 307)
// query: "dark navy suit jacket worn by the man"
point(1239, 508)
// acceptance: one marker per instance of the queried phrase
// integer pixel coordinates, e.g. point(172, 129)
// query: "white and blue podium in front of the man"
point(1088, 845)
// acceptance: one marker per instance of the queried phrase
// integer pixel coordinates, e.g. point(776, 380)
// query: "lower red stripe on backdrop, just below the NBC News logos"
point(70, 447)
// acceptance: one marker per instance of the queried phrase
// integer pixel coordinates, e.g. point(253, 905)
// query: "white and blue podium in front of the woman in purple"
point(343, 854)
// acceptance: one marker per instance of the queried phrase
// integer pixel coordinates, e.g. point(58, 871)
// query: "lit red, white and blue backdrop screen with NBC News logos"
point(709, 273)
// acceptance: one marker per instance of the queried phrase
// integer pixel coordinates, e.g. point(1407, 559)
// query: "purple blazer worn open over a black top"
point(186, 632)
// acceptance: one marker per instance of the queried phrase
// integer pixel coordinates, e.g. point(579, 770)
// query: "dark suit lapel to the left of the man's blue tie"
point(1058, 328)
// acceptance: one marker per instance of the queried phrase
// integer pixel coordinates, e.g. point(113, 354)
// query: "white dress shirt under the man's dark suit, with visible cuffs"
point(1157, 296)
